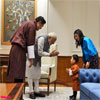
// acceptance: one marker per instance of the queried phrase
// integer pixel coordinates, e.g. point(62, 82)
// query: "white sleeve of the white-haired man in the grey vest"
point(41, 52)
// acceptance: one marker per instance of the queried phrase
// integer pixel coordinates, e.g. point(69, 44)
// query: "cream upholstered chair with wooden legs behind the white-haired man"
point(49, 69)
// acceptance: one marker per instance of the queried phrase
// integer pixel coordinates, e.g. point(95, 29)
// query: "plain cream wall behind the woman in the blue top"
point(68, 15)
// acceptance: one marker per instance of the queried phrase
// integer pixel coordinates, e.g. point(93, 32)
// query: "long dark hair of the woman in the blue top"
point(81, 36)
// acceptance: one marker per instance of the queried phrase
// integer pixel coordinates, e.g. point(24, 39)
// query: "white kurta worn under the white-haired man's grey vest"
point(35, 71)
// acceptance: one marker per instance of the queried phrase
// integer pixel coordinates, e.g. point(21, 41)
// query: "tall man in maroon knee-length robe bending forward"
point(23, 41)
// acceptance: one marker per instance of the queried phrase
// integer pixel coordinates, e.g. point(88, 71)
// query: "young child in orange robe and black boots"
point(73, 72)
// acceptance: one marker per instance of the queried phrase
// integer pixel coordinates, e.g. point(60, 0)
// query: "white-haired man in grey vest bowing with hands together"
point(41, 48)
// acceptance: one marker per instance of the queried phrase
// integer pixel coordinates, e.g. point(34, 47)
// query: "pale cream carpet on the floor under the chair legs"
point(62, 93)
